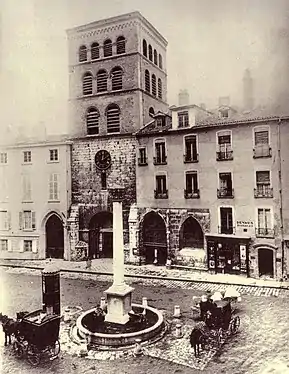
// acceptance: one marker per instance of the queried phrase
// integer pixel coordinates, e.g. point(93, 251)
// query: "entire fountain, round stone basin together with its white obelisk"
point(117, 330)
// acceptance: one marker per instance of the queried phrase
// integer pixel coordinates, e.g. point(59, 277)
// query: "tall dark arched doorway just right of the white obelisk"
point(154, 238)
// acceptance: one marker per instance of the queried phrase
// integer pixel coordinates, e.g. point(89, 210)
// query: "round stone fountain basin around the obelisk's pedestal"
point(121, 339)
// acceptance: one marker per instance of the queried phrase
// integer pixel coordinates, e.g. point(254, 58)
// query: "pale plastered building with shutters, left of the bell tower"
point(35, 196)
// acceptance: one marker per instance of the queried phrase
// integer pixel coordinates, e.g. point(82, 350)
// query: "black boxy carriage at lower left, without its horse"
point(37, 336)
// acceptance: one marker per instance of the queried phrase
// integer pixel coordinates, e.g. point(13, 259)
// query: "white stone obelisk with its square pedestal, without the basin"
point(119, 295)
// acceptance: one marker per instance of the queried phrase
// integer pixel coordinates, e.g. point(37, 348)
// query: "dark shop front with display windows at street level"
point(228, 254)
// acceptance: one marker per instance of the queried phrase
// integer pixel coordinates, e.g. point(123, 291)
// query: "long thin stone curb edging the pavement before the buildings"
point(158, 277)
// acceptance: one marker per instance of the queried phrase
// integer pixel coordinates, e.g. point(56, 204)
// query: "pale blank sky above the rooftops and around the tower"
point(210, 44)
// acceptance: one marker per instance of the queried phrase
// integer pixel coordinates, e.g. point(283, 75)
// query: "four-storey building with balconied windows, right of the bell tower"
point(212, 191)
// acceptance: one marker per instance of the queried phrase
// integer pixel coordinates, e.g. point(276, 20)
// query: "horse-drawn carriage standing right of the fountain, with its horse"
point(218, 323)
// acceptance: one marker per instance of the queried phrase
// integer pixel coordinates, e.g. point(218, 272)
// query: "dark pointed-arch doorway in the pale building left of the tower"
point(54, 237)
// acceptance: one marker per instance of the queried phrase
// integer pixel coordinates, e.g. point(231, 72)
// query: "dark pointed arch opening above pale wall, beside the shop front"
point(191, 234)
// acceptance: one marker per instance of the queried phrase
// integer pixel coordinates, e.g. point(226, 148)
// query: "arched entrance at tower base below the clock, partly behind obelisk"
point(100, 235)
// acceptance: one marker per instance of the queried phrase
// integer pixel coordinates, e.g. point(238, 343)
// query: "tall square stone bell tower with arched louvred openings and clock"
point(117, 72)
